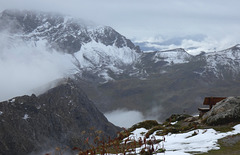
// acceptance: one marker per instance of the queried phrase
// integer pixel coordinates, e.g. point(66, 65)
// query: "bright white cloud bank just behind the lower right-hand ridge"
point(193, 45)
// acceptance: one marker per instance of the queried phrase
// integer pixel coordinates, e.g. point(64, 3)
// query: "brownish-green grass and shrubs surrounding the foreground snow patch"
point(229, 145)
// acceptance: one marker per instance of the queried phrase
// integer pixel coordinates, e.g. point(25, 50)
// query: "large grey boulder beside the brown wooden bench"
point(225, 111)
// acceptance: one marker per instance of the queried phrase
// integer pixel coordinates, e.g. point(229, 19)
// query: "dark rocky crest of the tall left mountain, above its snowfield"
point(62, 32)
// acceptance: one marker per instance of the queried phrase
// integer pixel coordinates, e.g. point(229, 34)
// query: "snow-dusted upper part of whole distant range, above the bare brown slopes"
point(101, 53)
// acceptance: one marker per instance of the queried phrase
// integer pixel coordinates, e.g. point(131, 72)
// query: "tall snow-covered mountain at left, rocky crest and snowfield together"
point(94, 48)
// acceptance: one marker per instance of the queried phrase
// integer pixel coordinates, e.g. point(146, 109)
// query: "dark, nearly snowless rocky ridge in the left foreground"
point(63, 116)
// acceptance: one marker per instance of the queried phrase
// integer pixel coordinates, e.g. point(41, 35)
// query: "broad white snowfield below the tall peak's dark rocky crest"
point(95, 54)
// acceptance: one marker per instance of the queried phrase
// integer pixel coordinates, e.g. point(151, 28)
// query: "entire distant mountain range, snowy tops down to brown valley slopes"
point(115, 73)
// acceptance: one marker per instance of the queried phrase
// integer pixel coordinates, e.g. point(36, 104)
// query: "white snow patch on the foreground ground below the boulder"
point(199, 140)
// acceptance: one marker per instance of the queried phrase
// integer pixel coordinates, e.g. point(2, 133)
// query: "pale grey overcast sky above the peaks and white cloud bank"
point(142, 19)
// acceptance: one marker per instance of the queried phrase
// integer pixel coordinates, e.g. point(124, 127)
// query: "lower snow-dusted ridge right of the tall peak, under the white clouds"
point(218, 64)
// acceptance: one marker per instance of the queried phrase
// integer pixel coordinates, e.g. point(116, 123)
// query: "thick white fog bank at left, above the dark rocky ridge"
point(26, 67)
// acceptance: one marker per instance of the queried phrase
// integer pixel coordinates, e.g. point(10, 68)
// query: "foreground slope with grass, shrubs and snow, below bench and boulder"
point(179, 134)
